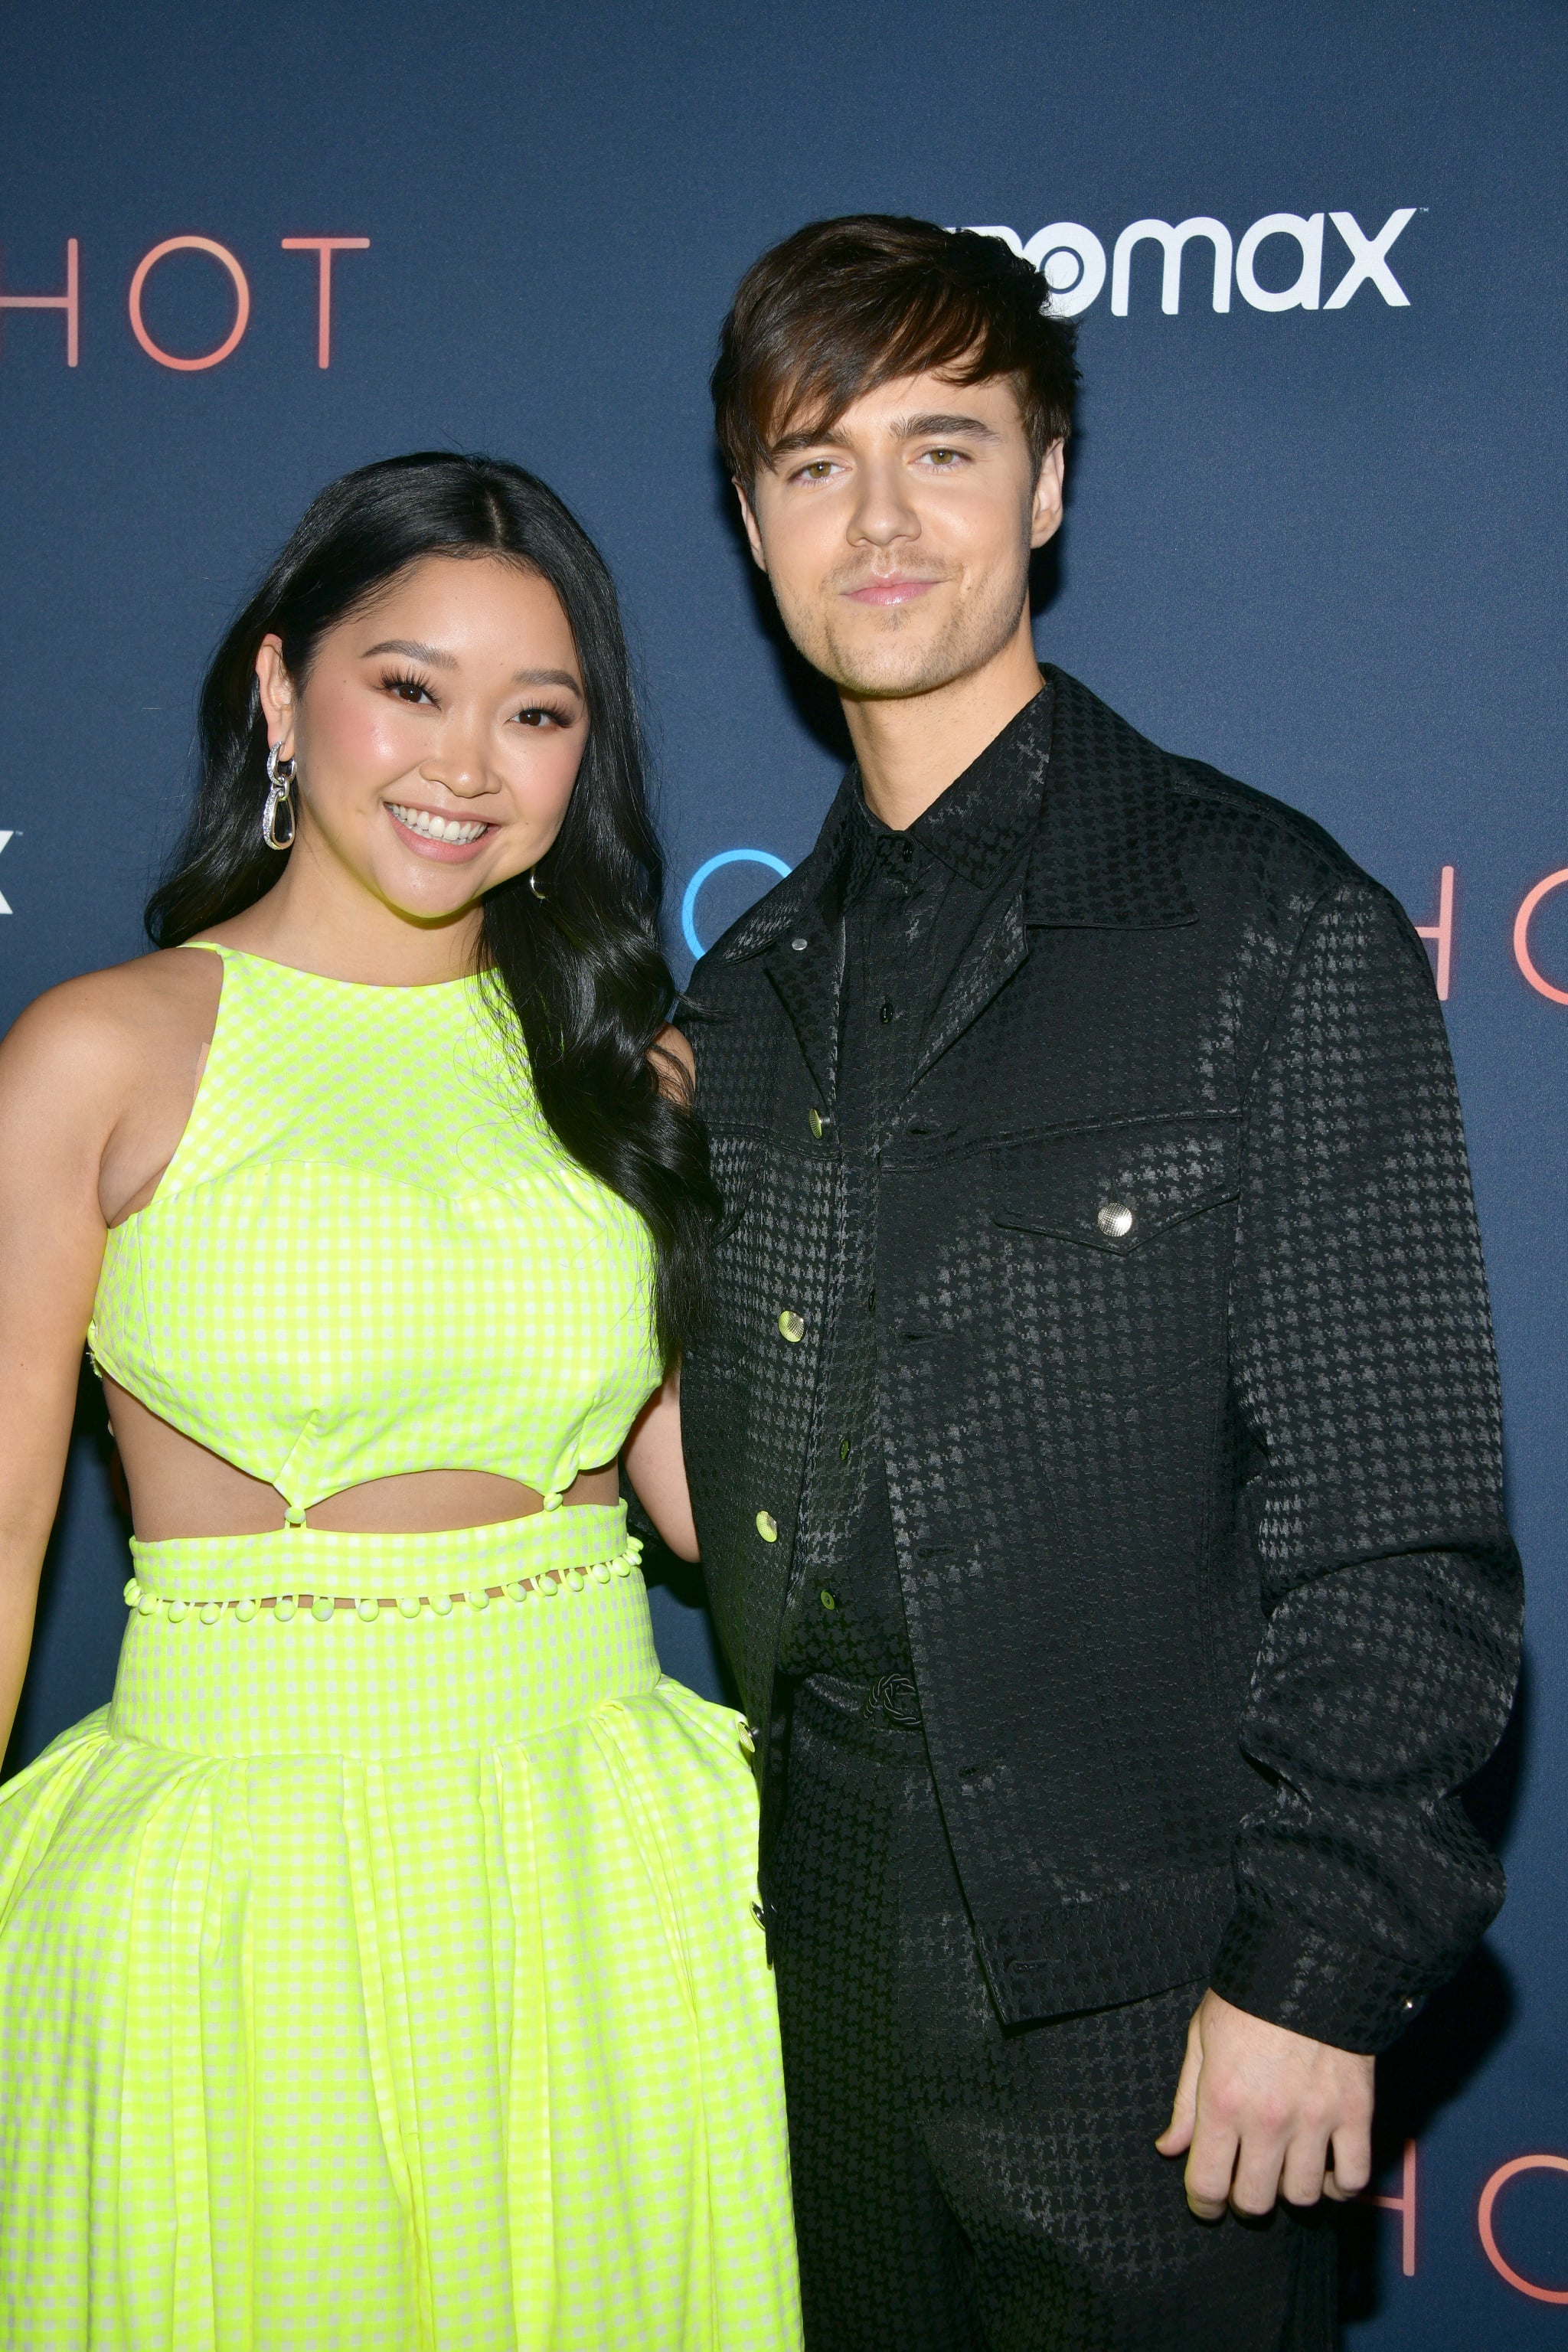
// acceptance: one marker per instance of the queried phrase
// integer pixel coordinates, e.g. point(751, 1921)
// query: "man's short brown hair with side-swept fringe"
point(850, 305)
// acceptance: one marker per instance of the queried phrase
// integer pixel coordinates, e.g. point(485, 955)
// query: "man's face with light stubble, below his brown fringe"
point(899, 540)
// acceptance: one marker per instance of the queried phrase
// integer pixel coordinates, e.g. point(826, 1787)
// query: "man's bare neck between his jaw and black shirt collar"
point(911, 749)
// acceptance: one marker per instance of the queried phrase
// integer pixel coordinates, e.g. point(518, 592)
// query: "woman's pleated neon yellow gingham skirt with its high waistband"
point(391, 1984)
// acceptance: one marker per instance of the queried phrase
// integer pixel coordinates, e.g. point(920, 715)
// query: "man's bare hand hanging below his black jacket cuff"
point(1264, 2113)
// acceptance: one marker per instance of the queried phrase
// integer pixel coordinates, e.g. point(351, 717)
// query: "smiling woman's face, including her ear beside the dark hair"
point(436, 737)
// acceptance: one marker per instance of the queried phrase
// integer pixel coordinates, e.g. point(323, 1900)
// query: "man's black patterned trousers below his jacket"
point(960, 2186)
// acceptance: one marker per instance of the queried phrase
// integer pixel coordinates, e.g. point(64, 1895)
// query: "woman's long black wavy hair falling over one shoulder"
point(584, 980)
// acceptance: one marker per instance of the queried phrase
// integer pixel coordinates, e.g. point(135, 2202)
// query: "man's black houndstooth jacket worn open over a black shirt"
point(1191, 1408)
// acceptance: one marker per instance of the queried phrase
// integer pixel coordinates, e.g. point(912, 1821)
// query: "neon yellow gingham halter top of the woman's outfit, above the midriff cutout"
point(370, 1255)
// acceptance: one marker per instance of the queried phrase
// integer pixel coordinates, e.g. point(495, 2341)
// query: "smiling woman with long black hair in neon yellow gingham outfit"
point(380, 1967)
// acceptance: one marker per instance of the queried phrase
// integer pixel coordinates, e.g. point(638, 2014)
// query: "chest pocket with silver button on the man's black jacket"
point(1115, 1248)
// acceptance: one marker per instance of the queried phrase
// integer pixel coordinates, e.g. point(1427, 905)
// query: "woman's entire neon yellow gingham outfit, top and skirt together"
point(387, 1982)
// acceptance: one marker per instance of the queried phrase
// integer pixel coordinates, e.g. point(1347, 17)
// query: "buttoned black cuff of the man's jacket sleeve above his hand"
point(1320, 1986)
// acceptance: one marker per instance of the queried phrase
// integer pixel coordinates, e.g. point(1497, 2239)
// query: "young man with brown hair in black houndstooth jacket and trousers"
point(1094, 1445)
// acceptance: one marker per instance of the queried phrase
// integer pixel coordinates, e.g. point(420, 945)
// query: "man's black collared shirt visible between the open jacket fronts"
point(913, 907)
